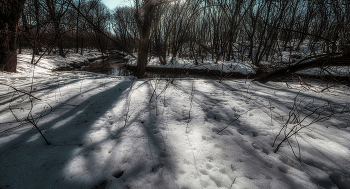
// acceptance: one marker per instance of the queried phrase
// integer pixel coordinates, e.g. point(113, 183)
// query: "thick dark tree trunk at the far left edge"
point(10, 13)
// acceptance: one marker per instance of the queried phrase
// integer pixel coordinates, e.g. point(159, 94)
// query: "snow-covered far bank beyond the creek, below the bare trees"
point(245, 66)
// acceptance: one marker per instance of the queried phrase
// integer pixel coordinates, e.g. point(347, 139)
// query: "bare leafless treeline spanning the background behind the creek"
point(245, 30)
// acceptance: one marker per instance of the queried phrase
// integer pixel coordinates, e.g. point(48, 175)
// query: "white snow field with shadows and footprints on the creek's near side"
point(119, 132)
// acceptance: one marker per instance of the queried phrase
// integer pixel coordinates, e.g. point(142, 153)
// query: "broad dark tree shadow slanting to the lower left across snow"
point(95, 106)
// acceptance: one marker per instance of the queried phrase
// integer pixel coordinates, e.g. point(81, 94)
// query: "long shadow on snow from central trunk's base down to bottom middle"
point(156, 162)
